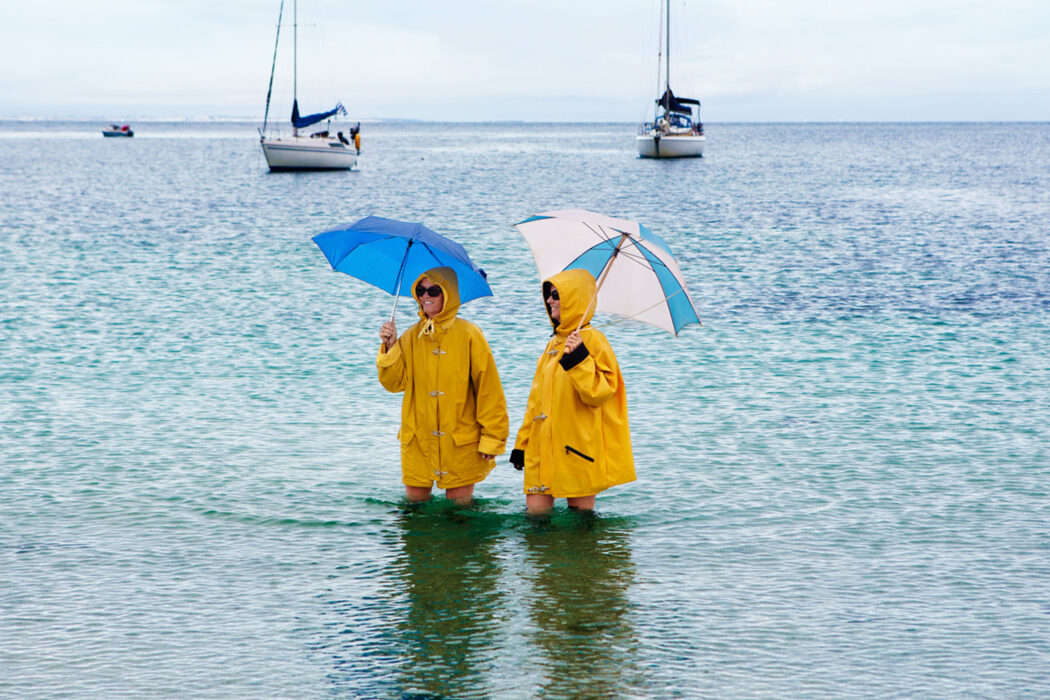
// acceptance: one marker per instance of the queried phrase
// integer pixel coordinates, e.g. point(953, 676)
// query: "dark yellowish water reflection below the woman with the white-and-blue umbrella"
point(582, 571)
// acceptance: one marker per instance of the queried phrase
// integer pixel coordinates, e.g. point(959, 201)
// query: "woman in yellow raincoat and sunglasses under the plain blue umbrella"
point(454, 416)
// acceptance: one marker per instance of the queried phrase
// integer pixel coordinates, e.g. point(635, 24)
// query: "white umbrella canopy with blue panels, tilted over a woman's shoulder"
point(637, 272)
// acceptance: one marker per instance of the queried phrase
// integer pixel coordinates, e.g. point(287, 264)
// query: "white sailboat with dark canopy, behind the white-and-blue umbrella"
point(677, 131)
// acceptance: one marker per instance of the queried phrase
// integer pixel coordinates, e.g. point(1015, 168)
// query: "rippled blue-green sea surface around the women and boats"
point(844, 475)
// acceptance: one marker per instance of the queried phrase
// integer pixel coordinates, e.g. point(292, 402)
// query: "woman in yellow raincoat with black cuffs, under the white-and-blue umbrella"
point(575, 441)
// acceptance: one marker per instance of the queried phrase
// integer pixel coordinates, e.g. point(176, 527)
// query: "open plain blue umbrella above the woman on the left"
point(391, 256)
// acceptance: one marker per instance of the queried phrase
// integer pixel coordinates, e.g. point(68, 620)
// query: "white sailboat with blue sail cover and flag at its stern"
point(316, 152)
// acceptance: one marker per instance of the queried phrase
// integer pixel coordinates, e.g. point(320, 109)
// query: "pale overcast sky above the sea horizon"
point(529, 60)
